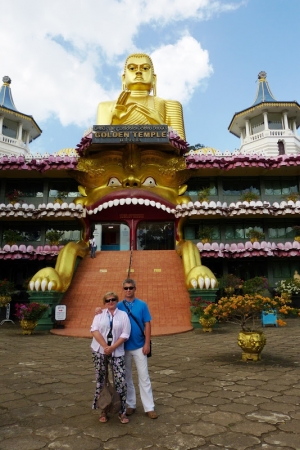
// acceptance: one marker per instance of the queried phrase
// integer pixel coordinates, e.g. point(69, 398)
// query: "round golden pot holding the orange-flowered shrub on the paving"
point(252, 344)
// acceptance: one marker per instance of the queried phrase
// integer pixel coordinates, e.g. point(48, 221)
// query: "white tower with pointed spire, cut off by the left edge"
point(17, 130)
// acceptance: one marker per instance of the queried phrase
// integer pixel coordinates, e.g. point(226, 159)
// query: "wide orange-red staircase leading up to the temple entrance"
point(160, 283)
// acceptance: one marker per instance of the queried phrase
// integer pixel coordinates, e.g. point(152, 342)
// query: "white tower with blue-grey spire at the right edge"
point(268, 126)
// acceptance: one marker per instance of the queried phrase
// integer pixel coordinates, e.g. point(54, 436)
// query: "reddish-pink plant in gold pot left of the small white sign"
point(29, 315)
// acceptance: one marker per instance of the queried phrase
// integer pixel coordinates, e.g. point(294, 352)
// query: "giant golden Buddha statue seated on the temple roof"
point(135, 105)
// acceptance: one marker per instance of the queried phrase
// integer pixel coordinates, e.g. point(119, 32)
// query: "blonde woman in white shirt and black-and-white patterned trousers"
point(110, 330)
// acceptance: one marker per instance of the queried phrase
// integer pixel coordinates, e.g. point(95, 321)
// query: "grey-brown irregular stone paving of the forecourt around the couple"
point(206, 397)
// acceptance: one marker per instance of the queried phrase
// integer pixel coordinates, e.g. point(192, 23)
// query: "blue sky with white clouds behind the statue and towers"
point(63, 60)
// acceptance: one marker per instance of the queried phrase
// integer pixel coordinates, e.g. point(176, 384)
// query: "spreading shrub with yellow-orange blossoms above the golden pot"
point(245, 310)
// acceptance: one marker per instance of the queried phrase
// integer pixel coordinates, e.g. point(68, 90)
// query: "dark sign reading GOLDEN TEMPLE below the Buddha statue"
point(143, 134)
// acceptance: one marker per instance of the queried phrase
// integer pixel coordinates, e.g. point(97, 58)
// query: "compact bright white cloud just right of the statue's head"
point(180, 68)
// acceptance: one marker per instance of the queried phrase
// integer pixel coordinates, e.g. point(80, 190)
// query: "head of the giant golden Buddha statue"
point(139, 73)
